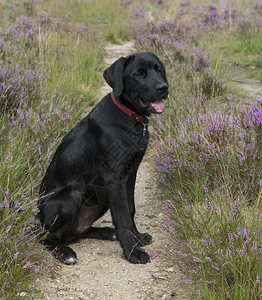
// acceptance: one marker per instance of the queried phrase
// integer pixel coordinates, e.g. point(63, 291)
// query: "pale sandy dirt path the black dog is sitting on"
point(101, 271)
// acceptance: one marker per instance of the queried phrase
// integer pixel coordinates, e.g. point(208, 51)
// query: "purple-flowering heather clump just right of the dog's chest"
point(202, 146)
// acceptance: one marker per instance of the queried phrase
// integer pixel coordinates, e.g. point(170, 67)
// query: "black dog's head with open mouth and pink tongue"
point(139, 81)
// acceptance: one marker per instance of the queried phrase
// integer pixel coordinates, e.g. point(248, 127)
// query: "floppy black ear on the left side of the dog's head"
point(114, 76)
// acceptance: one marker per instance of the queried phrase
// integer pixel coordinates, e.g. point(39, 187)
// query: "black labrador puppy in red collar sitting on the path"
point(94, 169)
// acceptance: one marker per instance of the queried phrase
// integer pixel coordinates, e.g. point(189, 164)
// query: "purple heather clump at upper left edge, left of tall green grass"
point(20, 80)
